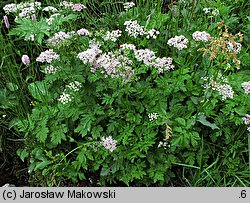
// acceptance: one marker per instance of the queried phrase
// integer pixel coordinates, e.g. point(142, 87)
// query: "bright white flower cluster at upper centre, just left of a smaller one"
point(134, 29)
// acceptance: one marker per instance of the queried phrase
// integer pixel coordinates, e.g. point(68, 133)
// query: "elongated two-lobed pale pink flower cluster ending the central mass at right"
point(149, 58)
